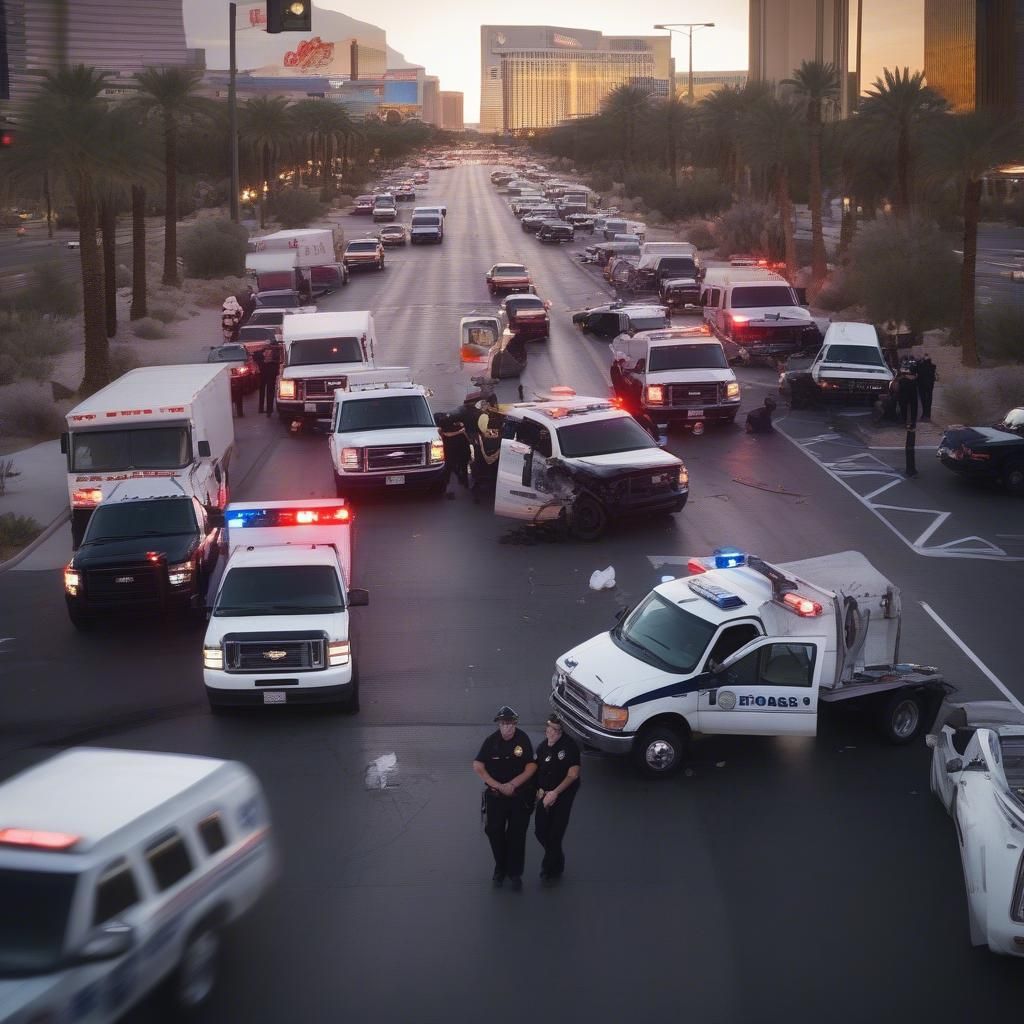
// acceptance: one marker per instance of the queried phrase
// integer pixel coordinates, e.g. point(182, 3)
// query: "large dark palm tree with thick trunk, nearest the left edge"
point(67, 132)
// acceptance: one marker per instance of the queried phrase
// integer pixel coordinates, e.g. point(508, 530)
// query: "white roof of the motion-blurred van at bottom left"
point(95, 792)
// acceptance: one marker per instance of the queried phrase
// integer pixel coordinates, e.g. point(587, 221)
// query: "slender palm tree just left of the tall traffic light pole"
point(169, 95)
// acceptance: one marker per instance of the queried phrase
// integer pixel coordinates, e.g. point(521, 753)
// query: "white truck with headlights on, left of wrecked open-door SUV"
point(383, 435)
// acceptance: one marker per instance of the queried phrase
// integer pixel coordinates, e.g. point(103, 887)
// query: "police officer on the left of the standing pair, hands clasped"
point(505, 762)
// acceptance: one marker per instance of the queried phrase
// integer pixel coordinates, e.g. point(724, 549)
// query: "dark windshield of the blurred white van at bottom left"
point(36, 907)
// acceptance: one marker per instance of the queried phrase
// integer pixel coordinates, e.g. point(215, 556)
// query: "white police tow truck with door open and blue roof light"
point(743, 648)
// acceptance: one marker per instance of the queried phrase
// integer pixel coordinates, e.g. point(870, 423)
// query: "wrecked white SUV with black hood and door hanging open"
point(585, 463)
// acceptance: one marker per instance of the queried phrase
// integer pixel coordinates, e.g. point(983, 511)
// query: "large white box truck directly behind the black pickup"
point(156, 421)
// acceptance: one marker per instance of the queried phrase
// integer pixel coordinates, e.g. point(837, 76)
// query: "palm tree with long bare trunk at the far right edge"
point(966, 148)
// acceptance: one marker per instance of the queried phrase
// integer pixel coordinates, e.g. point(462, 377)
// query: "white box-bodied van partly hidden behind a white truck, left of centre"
point(321, 350)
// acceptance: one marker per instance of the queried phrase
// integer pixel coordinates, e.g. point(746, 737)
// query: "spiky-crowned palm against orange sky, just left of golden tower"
point(892, 114)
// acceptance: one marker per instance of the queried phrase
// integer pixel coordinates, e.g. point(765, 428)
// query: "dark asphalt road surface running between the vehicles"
point(776, 880)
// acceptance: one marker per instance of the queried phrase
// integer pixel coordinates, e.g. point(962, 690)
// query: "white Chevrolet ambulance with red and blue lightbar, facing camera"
point(279, 630)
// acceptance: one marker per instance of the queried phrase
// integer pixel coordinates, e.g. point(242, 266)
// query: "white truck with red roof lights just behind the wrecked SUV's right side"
point(680, 374)
